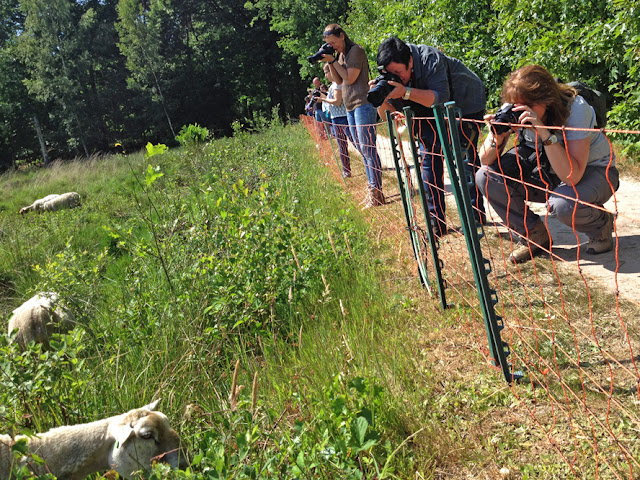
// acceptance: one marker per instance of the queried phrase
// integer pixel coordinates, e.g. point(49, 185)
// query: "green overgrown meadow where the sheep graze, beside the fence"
point(245, 250)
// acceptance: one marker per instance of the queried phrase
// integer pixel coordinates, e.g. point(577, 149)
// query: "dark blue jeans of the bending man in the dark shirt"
point(433, 168)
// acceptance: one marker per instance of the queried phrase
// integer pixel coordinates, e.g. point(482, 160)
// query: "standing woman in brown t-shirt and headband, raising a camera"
point(350, 68)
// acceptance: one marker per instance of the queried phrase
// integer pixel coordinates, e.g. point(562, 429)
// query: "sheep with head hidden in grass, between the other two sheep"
point(37, 318)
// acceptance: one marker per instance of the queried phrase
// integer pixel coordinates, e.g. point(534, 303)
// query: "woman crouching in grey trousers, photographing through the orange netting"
point(580, 164)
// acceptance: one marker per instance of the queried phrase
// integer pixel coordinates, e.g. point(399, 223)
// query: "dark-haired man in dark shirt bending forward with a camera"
point(429, 77)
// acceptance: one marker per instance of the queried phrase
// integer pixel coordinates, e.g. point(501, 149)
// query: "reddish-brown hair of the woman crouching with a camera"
point(534, 84)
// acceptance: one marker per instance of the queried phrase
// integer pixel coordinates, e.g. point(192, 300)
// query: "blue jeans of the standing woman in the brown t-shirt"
point(363, 130)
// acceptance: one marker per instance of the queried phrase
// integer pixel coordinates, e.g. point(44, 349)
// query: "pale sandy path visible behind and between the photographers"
point(619, 268)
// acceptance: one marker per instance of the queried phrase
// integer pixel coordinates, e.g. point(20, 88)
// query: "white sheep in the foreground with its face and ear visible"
point(126, 443)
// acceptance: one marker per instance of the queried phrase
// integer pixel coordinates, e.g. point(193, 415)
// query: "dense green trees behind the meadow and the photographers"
point(106, 75)
